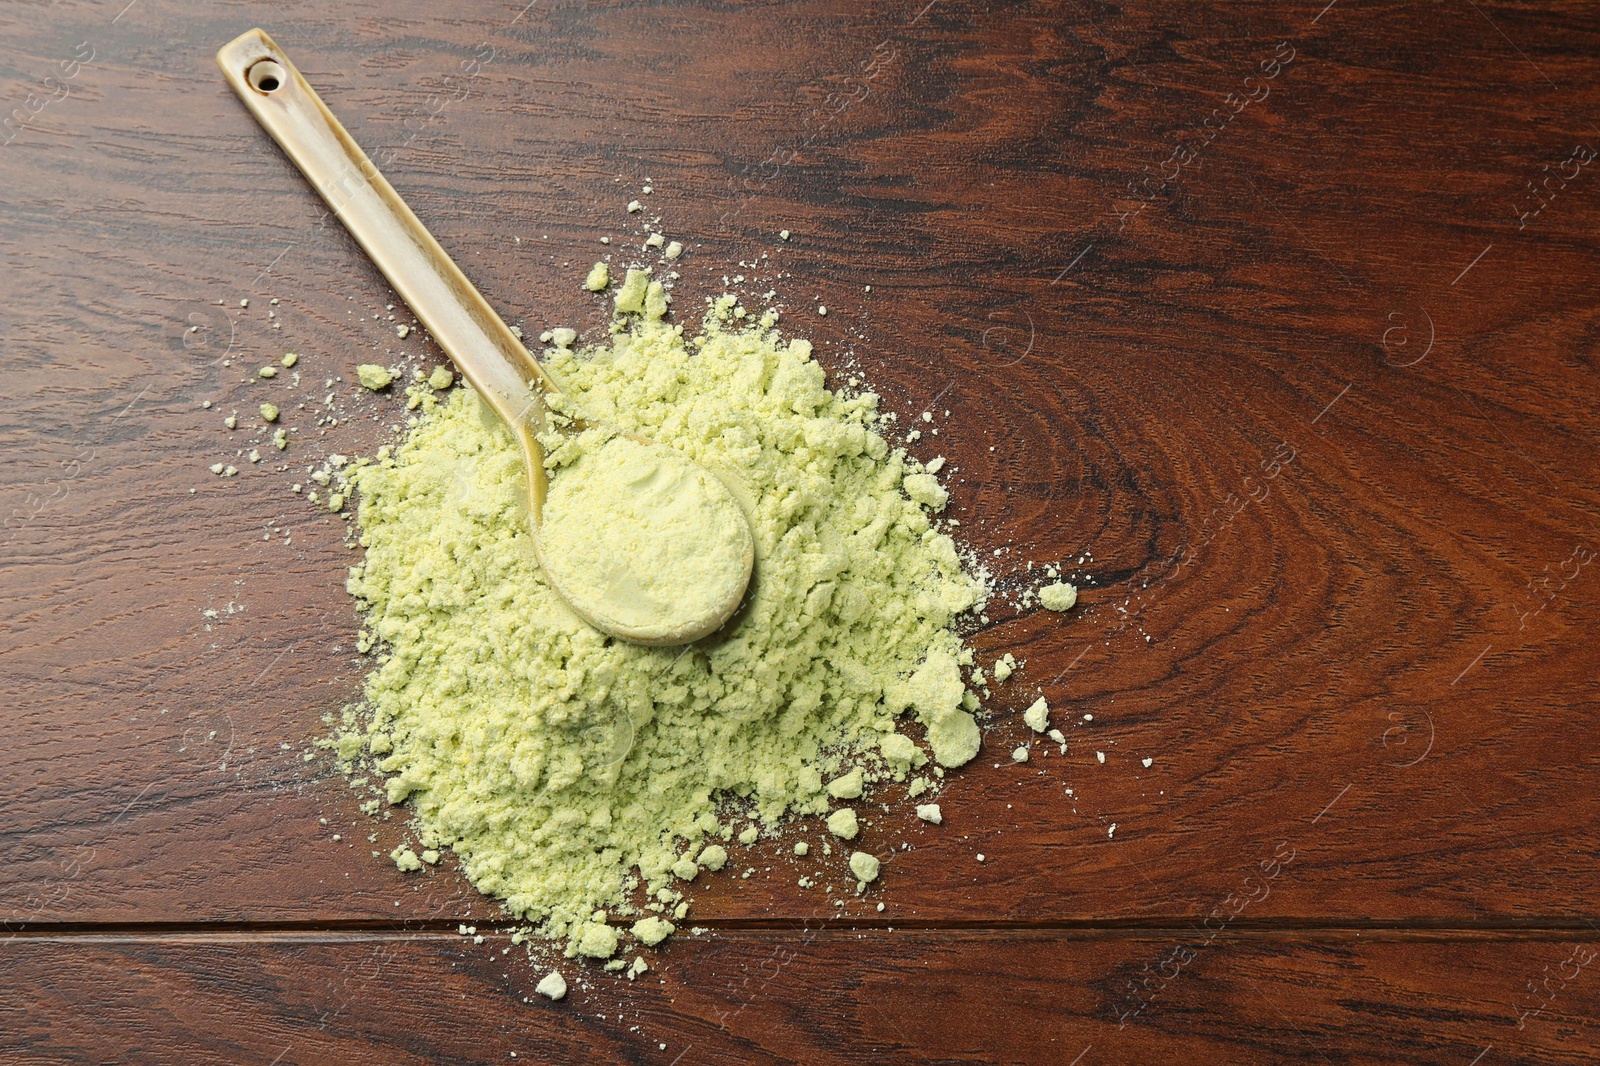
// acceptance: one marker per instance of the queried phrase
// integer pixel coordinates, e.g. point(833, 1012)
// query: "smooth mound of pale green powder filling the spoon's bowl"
point(642, 540)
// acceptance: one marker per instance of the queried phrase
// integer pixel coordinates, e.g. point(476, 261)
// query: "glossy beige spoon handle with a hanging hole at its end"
point(484, 348)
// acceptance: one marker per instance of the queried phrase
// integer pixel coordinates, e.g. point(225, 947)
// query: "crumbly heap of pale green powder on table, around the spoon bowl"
point(578, 777)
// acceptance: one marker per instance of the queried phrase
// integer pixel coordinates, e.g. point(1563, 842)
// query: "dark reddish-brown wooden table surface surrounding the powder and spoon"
point(1281, 316)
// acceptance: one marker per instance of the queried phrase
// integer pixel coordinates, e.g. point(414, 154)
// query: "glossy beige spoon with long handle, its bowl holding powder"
point(482, 347)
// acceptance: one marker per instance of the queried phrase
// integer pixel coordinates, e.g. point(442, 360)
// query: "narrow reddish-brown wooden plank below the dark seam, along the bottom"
point(799, 996)
